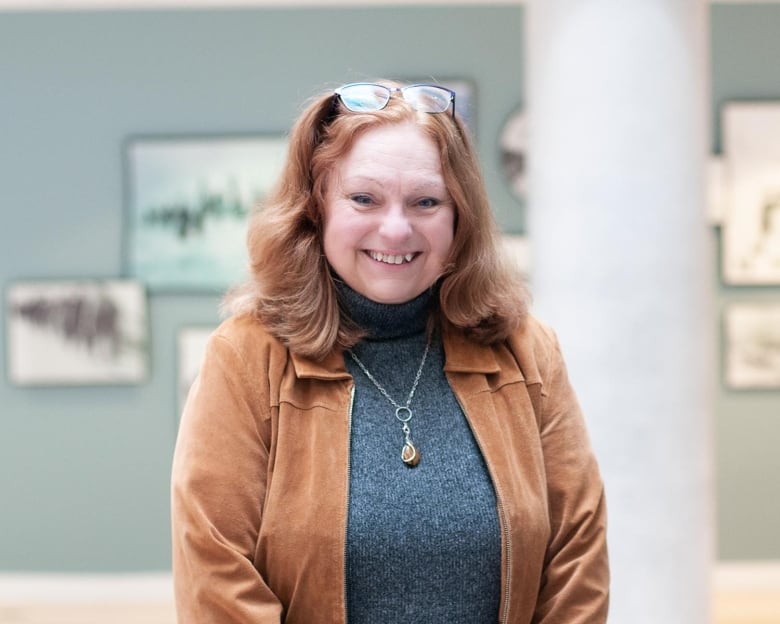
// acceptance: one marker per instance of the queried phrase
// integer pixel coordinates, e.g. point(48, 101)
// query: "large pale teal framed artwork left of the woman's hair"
point(188, 199)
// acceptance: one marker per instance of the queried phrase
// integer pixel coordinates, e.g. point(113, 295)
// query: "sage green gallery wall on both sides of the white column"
point(84, 468)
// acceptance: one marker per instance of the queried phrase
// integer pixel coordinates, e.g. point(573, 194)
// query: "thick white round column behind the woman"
point(622, 268)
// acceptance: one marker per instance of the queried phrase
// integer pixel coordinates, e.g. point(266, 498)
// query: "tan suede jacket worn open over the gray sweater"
point(261, 471)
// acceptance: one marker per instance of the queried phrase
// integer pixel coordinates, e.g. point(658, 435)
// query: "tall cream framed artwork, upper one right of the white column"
point(751, 225)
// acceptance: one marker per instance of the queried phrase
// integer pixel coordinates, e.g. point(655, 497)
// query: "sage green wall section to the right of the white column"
point(745, 61)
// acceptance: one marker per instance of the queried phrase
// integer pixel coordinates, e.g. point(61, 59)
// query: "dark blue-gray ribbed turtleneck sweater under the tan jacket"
point(423, 543)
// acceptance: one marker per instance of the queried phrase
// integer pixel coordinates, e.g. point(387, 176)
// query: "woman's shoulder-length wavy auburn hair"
point(291, 288)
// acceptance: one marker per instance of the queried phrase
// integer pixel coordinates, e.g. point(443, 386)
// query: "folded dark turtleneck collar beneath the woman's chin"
point(385, 320)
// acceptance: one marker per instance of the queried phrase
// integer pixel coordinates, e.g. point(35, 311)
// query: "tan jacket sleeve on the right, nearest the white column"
point(575, 580)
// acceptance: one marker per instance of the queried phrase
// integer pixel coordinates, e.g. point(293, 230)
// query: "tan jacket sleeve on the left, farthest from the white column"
point(217, 490)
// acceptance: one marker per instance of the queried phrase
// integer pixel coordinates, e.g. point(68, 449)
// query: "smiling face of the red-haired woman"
point(388, 217)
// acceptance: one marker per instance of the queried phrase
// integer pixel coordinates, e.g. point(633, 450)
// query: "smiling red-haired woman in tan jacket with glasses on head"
point(380, 432)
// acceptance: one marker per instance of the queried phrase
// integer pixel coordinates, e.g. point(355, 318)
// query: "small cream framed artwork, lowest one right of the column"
point(752, 335)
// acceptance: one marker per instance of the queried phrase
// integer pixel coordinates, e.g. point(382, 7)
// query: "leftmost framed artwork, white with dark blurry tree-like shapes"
point(77, 332)
